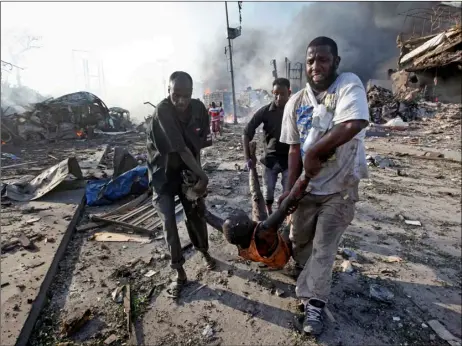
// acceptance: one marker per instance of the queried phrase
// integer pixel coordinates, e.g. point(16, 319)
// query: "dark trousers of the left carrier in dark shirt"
point(195, 224)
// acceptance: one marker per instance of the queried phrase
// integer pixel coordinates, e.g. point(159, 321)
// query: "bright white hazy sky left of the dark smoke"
point(130, 39)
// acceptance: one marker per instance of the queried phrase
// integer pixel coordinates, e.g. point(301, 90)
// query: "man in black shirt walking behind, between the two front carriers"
point(275, 161)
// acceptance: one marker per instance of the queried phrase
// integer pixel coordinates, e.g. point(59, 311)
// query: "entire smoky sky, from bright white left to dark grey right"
point(140, 44)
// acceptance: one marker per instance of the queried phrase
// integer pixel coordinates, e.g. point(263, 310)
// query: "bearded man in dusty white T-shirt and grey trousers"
point(326, 211)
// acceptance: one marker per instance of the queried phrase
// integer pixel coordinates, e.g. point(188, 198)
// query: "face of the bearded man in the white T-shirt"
point(321, 67)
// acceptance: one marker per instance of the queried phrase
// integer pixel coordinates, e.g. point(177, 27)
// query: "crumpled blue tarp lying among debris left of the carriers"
point(105, 191)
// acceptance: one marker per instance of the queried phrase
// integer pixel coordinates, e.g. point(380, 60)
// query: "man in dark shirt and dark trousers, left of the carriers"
point(179, 129)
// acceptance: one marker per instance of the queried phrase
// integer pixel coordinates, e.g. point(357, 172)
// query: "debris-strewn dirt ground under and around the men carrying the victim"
point(241, 303)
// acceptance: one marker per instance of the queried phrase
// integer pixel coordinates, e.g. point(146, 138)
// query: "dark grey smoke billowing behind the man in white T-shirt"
point(365, 33)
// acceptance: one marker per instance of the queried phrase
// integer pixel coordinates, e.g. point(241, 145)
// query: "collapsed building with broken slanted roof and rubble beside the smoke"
point(429, 66)
